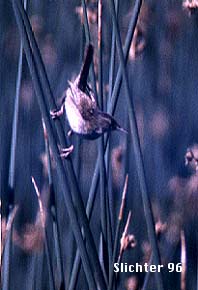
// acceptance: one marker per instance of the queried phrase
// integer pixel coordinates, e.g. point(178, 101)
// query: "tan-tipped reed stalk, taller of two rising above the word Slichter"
point(117, 233)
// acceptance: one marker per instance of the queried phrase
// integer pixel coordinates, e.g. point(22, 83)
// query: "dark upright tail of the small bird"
point(82, 83)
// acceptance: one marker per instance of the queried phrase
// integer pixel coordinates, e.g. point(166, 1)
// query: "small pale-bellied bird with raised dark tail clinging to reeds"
point(84, 116)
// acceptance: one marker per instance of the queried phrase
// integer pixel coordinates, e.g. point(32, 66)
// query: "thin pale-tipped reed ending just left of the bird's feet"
point(53, 208)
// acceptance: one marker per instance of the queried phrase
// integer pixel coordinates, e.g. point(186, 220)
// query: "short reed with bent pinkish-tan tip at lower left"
point(46, 238)
